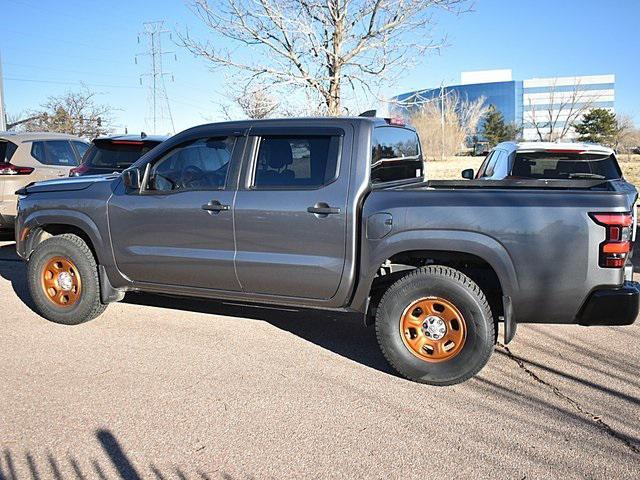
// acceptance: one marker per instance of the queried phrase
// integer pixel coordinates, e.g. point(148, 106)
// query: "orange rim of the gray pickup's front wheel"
point(61, 281)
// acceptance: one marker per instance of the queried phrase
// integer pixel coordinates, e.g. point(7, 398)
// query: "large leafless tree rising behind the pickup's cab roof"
point(322, 46)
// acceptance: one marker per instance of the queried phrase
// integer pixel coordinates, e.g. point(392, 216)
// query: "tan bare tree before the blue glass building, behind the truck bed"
point(446, 123)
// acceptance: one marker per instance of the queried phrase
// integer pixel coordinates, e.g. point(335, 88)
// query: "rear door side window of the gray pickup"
point(296, 161)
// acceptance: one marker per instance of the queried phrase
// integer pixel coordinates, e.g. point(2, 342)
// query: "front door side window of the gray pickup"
point(198, 165)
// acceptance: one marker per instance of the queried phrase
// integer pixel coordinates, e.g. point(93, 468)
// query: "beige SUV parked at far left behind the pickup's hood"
point(31, 157)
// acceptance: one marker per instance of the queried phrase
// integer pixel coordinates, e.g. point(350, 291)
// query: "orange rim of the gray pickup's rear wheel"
point(433, 329)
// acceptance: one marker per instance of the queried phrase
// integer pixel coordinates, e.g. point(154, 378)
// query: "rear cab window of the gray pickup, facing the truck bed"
point(395, 155)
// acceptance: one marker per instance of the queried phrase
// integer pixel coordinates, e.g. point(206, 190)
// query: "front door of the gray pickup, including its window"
point(179, 229)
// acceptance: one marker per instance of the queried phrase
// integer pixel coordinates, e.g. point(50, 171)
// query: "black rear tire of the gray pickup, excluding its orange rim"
point(452, 285)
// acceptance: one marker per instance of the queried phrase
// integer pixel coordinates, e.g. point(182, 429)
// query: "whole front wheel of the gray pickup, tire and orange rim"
point(63, 280)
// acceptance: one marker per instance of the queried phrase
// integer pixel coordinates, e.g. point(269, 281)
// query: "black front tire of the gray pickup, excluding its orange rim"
point(88, 306)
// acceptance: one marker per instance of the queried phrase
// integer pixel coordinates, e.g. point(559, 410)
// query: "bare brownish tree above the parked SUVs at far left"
point(76, 113)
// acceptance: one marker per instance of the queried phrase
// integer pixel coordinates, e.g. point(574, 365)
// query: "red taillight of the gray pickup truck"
point(617, 244)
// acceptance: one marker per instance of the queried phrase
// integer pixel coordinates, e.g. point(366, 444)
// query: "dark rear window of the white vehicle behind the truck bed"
point(564, 165)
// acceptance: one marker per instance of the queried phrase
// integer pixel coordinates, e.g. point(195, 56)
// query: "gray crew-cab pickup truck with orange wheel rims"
point(335, 214)
